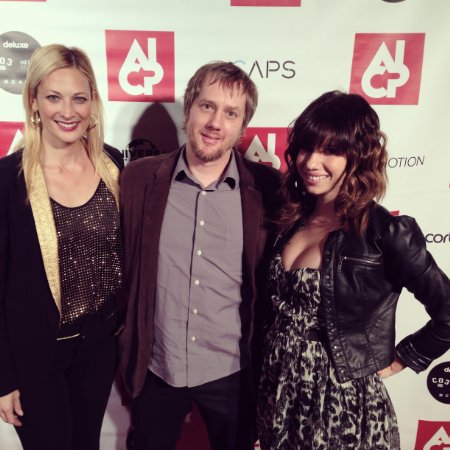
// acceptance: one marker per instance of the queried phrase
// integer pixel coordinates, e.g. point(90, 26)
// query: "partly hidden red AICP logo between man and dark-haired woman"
point(265, 145)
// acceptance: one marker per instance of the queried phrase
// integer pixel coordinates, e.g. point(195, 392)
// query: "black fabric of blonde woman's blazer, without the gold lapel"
point(29, 317)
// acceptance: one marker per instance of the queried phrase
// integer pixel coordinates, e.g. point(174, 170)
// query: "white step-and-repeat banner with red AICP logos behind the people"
point(394, 53)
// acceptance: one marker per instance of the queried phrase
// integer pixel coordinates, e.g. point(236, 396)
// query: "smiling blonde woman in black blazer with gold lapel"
point(60, 259)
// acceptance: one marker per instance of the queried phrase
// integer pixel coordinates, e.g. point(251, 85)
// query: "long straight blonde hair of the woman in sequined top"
point(43, 62)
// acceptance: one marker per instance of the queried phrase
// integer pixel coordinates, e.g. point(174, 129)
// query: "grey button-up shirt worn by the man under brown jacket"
point(197, 320)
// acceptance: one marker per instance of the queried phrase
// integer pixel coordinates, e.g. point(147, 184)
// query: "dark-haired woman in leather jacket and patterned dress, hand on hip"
point(338, 267)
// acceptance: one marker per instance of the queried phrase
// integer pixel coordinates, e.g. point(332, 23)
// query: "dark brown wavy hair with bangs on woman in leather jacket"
point(341, 124)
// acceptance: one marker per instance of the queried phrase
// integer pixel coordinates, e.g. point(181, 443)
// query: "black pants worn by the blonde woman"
point(65, 411)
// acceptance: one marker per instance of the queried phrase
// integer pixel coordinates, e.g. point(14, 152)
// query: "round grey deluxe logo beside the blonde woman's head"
point(15, 53)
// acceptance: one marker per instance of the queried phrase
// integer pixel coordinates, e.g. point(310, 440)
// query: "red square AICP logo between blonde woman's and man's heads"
point(140, 66)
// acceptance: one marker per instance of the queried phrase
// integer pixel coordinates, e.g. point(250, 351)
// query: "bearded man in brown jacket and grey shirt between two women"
point(196, 223)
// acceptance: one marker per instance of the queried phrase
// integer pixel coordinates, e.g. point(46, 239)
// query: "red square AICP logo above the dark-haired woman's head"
point(387, 68)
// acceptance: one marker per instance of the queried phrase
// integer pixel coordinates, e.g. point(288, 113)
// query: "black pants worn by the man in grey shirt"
point(225, 406)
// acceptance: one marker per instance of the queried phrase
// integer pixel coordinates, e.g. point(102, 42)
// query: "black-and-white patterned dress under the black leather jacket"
point(302, 405)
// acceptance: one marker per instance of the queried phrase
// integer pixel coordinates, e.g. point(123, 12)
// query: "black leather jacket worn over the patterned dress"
point(361, 280)
